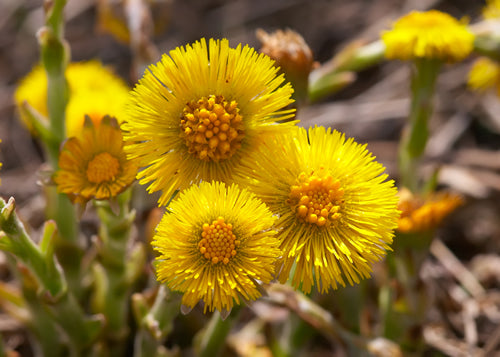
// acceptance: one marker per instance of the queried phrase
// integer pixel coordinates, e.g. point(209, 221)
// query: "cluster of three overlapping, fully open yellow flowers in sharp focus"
point(258, 194)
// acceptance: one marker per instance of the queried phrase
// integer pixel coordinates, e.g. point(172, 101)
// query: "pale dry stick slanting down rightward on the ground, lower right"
point(454, 266)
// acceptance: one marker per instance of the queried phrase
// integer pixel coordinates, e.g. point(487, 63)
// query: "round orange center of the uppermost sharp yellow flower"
point(212, 128)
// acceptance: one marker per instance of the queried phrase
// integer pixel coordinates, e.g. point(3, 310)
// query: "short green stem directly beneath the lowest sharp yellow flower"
point(213, 340)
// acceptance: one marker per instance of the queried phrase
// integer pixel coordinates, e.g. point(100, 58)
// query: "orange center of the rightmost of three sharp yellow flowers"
point(316, 199)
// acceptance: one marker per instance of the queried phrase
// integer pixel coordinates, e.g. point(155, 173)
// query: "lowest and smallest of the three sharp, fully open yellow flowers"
point(216, 244)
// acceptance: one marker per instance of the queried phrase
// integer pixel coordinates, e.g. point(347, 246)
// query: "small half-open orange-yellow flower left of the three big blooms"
point(93, 165)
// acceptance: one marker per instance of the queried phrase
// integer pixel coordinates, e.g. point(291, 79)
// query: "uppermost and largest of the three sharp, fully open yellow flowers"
point(197, 112)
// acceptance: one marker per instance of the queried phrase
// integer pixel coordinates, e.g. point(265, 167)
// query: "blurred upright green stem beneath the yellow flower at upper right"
point(415, 135)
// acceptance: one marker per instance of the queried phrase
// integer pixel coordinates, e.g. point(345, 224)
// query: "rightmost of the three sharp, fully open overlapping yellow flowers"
point(336, 211)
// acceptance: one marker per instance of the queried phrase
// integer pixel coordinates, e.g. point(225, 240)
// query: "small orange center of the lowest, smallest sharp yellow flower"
point(218, 243)
